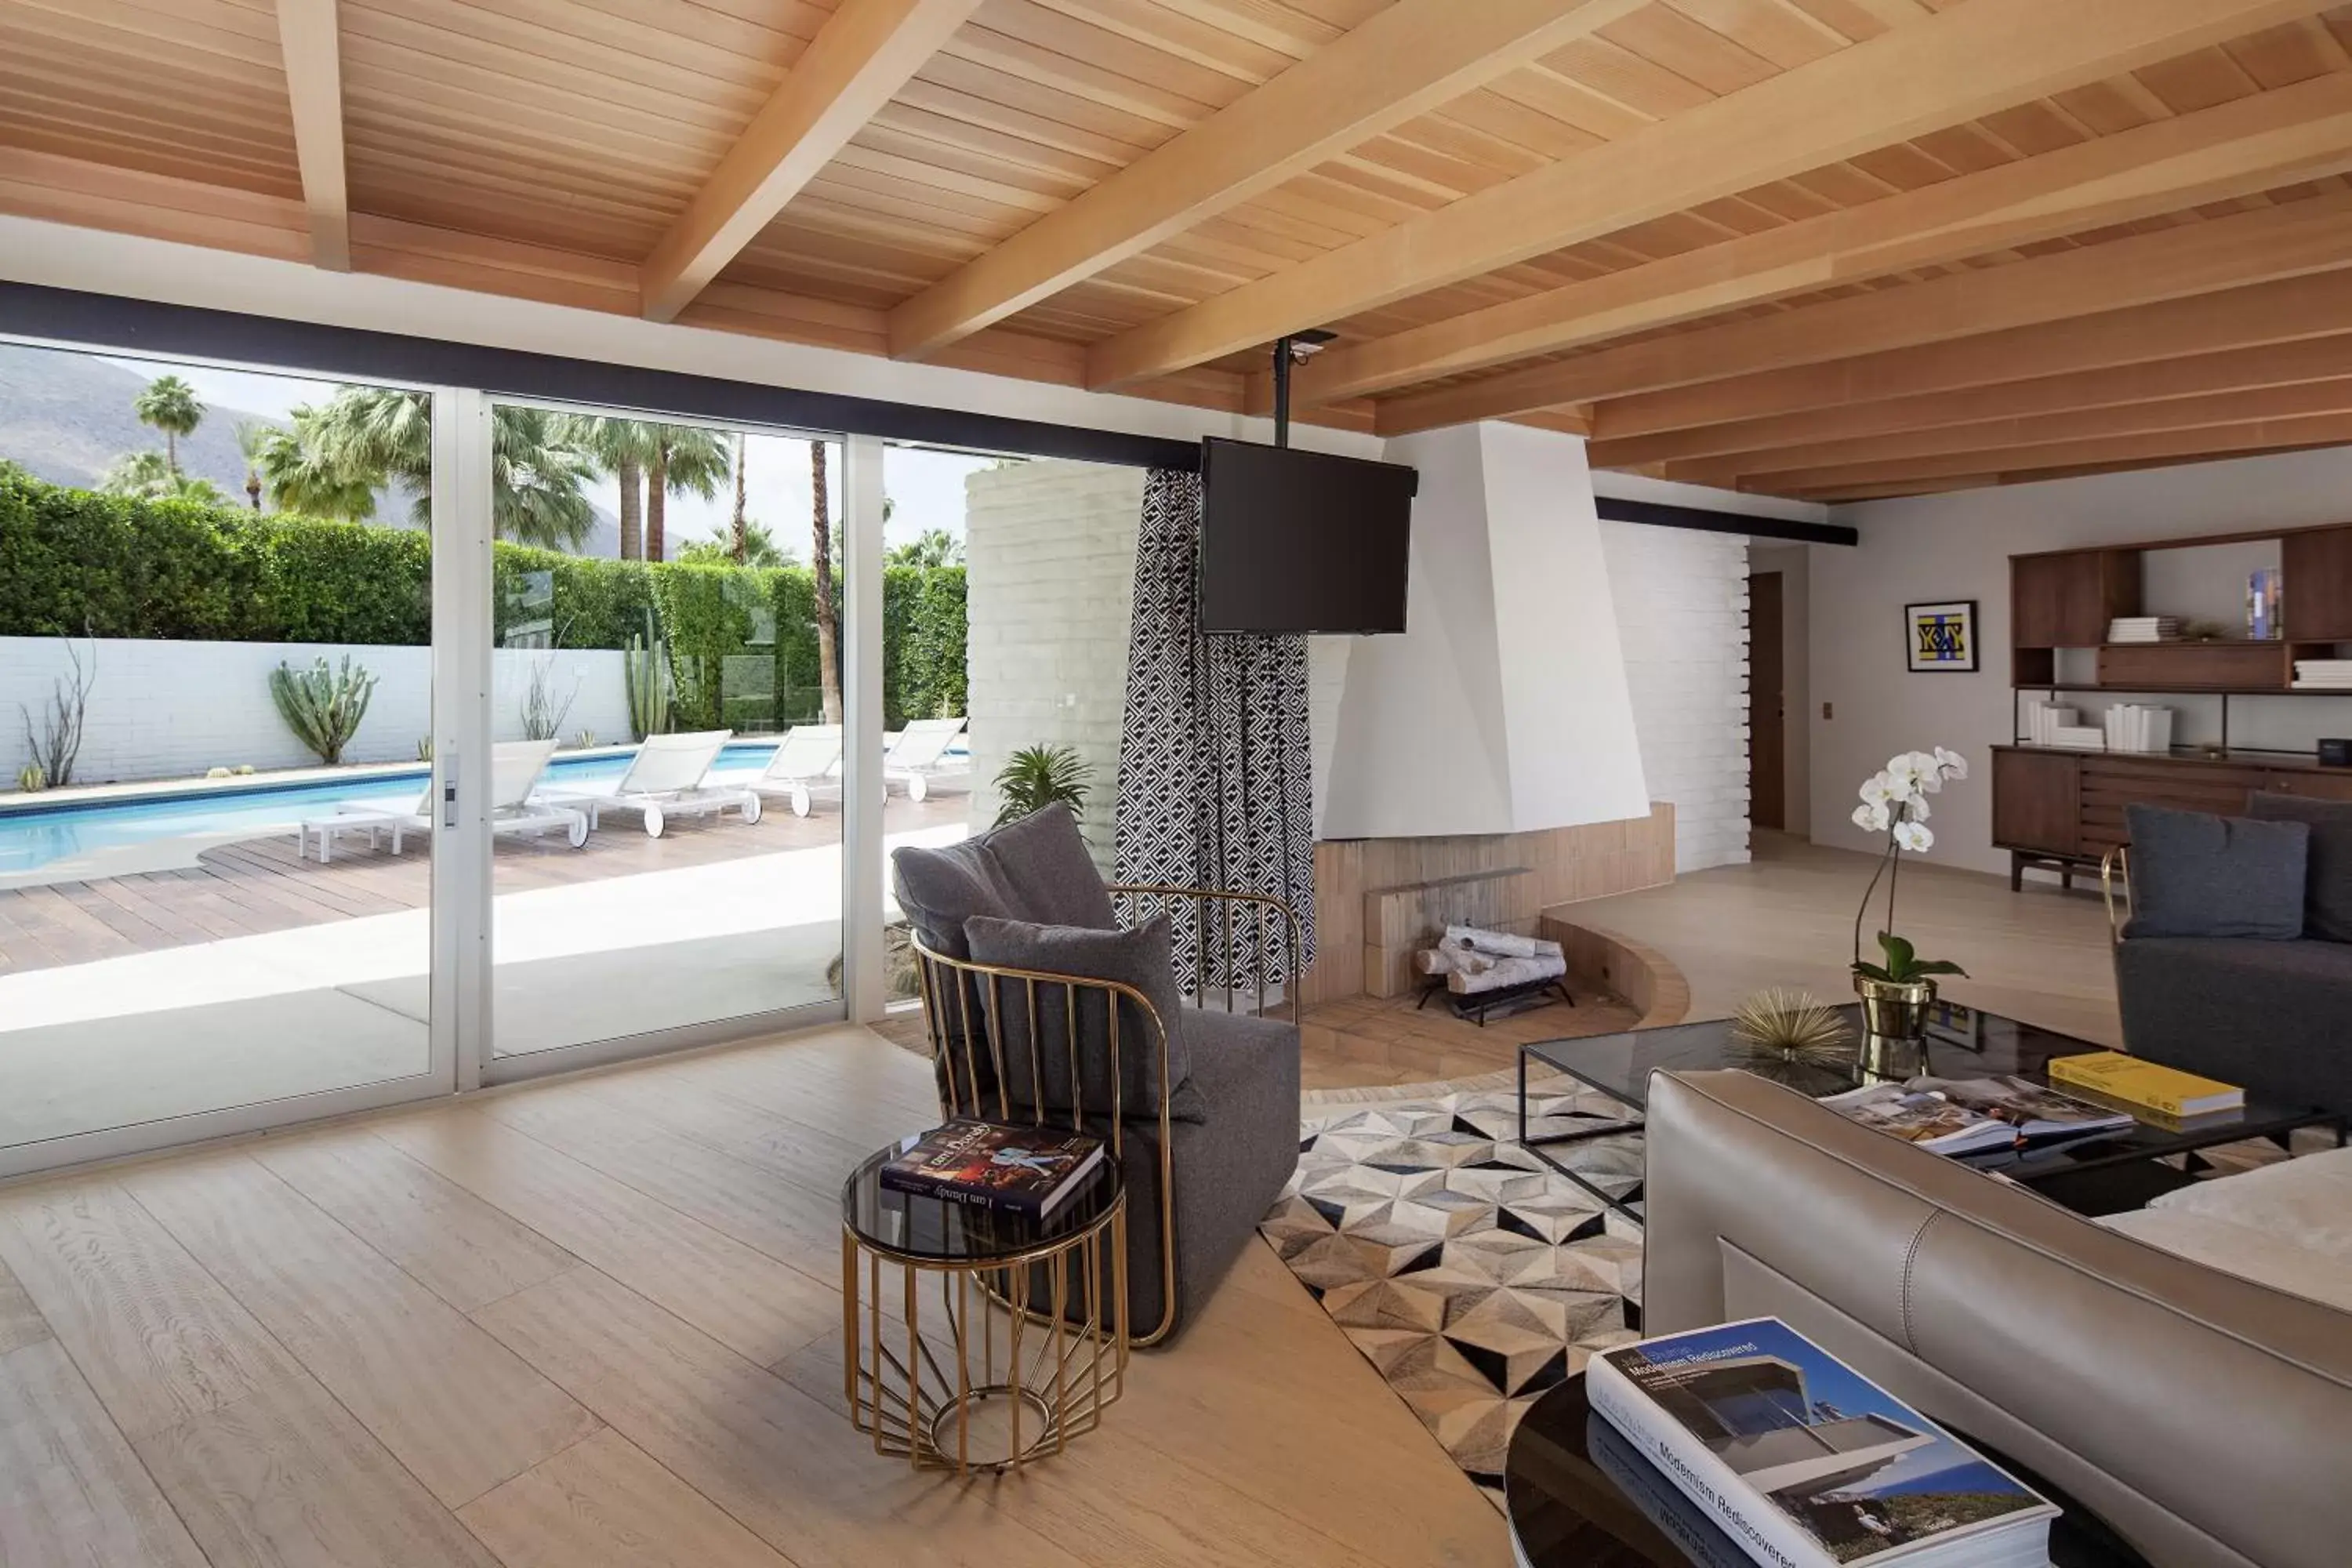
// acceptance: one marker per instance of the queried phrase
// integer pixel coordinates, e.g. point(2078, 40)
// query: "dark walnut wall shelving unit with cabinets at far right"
point(2064, 808)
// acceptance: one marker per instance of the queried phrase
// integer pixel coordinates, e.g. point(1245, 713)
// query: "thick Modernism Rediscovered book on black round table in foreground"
point(1805, 1463)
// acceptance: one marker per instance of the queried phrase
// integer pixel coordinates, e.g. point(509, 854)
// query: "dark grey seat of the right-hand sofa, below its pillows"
point(2266, 1017)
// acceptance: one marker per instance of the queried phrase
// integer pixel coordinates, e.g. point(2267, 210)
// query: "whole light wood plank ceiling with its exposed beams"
point(1815, 248)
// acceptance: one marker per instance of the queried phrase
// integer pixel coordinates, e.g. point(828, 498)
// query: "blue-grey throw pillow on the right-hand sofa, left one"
point(2214, 876)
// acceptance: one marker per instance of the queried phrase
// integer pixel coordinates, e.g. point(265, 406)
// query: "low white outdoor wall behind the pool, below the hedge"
point(180, 709)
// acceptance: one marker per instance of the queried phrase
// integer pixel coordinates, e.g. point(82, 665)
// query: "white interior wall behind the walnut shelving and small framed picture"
point(1958, 547)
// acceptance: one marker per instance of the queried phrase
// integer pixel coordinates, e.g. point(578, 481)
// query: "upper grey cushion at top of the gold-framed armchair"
point(1036, 871)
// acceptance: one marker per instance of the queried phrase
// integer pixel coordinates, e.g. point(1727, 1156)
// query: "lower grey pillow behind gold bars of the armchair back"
point(1142, 958)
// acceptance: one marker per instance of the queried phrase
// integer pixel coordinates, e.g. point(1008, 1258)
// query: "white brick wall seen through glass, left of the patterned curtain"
point(1050, 554)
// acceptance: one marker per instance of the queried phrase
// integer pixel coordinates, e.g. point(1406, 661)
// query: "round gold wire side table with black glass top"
point(1015, 1358)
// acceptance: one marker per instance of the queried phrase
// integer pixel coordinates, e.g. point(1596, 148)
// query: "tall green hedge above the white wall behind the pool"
point(742, 641)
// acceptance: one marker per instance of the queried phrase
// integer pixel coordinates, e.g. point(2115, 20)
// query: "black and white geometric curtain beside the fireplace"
point(1215, 768)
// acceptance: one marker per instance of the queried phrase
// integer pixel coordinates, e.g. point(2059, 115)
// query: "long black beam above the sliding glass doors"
point(265, 342)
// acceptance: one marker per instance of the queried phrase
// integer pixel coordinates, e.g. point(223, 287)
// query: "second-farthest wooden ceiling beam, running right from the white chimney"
point(2097, 389)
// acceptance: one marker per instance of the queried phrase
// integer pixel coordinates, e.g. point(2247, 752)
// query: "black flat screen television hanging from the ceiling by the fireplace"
point(1302, 542)
